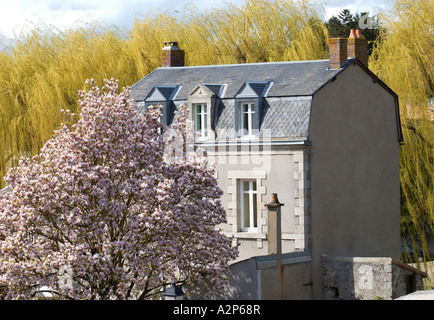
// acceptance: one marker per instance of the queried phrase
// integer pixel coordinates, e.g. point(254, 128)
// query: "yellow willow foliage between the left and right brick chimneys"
point(259, 31)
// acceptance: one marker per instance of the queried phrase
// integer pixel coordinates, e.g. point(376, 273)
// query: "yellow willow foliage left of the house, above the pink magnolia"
point(41, 73)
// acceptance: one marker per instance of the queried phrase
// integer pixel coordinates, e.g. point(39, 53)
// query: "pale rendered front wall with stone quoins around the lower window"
point(282, 172)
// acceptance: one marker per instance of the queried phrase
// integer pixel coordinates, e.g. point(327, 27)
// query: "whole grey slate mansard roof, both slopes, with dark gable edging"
point(292, 83)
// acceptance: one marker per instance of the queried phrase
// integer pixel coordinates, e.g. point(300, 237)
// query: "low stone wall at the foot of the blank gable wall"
point(360, 278)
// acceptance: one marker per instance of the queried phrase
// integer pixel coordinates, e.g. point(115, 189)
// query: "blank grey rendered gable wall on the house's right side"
point(355, 206)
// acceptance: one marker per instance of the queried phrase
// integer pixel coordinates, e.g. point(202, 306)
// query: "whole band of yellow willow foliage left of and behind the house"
point(43, 69)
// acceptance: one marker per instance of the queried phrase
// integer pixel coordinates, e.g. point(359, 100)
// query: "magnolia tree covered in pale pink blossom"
point(109, 209)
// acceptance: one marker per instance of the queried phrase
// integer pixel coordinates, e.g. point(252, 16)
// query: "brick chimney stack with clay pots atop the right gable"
point(341, 49)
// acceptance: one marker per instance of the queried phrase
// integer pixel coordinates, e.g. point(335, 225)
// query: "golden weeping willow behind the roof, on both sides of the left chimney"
point(254, 31)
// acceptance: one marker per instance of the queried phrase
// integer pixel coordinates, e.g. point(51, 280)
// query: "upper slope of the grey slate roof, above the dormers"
point(291, 78)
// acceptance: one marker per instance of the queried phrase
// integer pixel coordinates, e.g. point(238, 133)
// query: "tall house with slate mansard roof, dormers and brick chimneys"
point(324, 135)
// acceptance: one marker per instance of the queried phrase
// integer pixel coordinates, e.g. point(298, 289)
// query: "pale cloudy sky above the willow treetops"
point(17, 14)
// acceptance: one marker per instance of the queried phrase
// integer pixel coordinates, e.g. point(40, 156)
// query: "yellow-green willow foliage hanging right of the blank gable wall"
point(404, 59)
